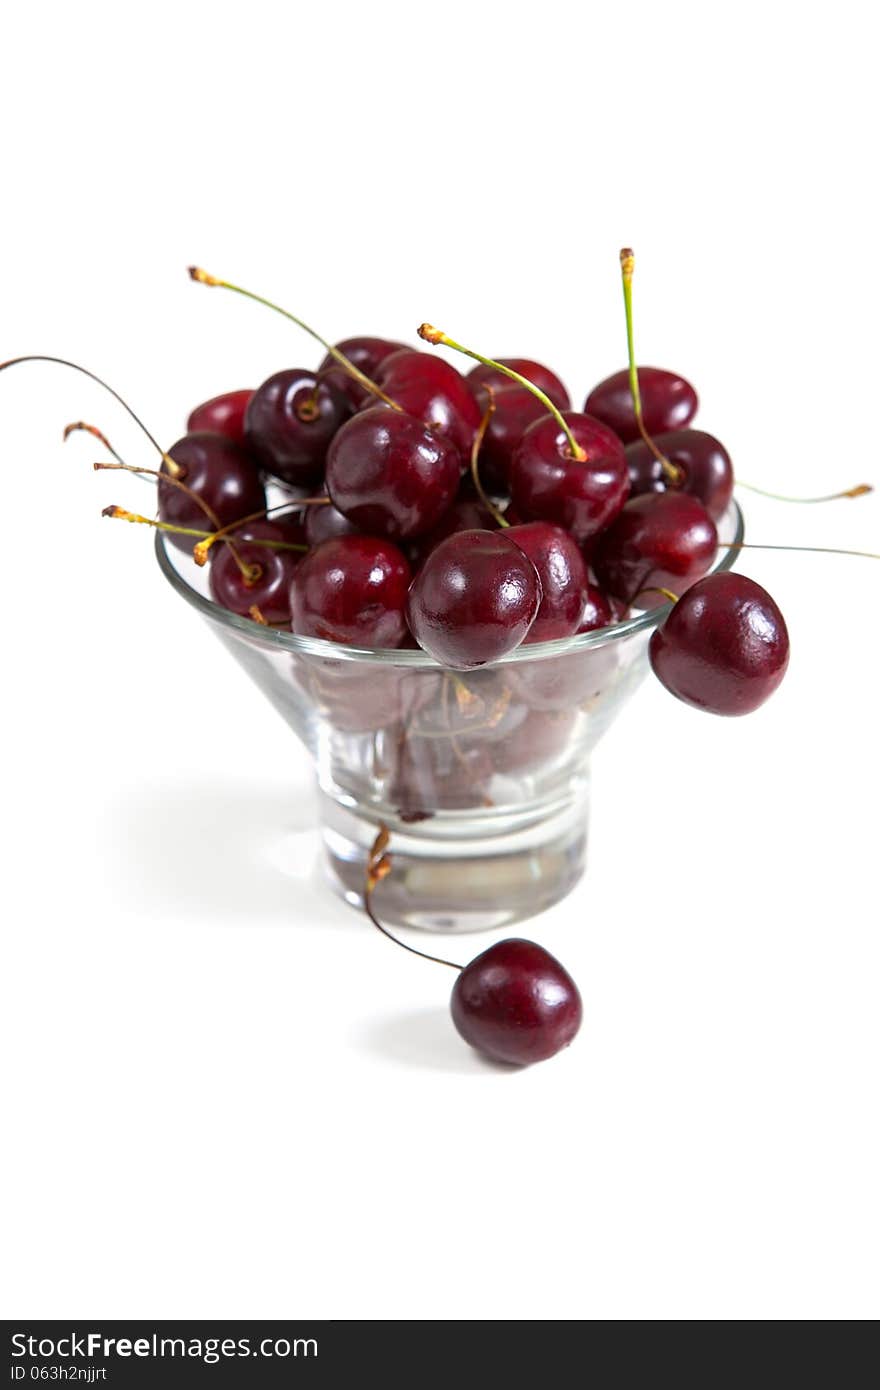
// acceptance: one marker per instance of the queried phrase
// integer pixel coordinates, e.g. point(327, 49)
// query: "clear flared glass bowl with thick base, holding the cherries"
point(483, 778)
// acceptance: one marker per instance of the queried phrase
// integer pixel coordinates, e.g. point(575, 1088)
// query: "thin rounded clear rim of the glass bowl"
point(272, 637)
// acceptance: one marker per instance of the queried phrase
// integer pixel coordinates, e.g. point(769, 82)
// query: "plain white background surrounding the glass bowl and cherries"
point(227, 1097)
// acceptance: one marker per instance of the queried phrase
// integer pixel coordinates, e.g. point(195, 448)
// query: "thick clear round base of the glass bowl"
point(464, 881)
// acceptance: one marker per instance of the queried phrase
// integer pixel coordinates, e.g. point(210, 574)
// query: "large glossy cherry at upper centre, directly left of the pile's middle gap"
point(390, 475)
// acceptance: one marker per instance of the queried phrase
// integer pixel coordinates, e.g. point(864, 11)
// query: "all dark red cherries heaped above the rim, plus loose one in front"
point(469, 515)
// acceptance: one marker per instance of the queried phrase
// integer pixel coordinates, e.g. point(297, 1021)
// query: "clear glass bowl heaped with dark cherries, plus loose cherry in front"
point(450, 583)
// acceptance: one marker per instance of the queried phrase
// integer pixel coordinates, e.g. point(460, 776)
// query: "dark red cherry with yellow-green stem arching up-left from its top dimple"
point(547, 484)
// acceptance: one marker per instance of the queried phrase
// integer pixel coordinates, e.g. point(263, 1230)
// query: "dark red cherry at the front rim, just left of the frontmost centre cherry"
point(352, 590)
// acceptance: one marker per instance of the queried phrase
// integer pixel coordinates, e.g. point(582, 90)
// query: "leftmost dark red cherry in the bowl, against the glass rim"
point(222, 475)
